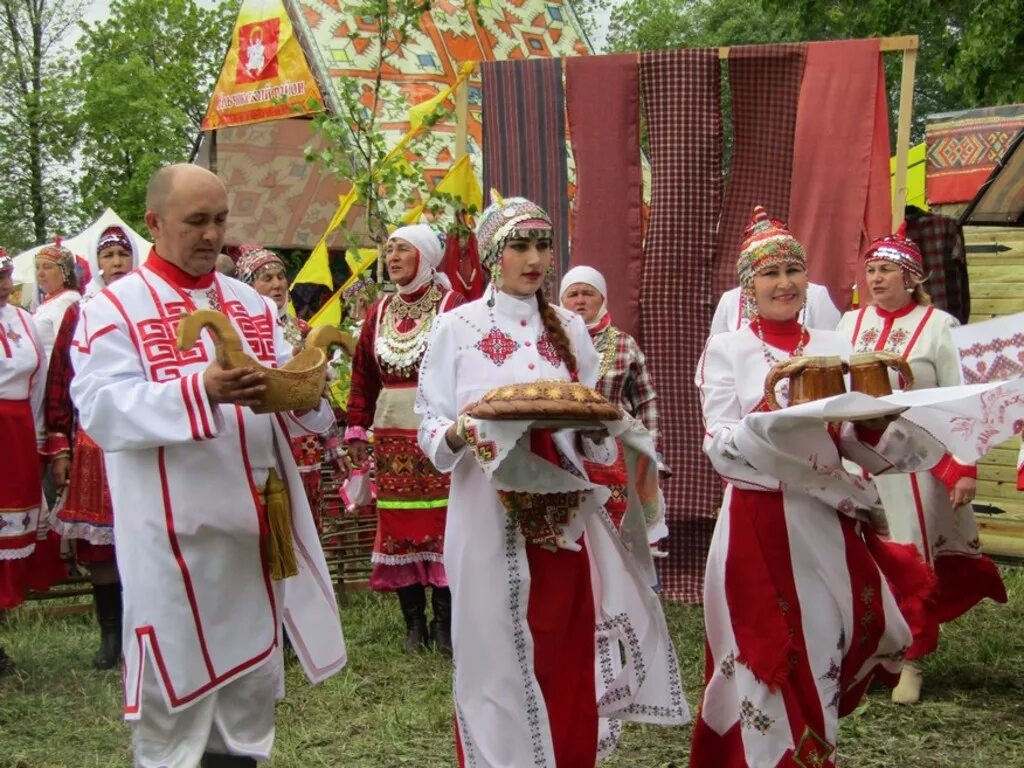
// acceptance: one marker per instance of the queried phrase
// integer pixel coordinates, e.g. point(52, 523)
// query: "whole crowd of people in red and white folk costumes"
point(193, 508)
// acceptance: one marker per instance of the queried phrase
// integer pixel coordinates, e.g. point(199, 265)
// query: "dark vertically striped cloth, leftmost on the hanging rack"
point(525, 152)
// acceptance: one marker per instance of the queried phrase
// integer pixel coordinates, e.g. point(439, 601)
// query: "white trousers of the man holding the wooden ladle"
point(237, 719)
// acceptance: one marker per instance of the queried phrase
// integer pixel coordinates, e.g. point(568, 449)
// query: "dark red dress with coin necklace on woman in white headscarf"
point(412, 495)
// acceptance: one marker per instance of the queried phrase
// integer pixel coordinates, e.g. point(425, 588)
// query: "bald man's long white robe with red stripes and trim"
point(184, 475)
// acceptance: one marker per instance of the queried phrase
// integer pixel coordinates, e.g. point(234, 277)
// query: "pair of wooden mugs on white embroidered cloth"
point(815, 378)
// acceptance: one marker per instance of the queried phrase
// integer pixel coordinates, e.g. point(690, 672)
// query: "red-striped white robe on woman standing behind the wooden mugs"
point(918, 505)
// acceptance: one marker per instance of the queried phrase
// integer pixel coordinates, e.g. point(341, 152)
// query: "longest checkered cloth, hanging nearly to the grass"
point(685, 121)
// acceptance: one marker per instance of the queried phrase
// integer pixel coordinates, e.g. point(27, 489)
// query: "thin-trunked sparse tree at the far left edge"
point(39, 134)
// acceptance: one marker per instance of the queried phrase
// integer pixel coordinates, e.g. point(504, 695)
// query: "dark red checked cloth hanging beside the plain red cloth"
point(764, 83)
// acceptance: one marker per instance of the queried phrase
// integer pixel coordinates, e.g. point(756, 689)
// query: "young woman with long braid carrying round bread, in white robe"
point(535, 606)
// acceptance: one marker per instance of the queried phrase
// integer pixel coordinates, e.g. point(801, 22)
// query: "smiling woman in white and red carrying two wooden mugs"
point(799, 608)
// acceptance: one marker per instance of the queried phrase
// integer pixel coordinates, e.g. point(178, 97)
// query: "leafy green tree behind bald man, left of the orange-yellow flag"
point(148, 73)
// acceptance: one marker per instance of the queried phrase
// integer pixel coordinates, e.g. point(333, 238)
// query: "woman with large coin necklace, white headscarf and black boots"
point(412, 496)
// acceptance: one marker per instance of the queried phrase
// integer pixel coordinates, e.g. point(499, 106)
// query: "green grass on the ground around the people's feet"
point(388, 710)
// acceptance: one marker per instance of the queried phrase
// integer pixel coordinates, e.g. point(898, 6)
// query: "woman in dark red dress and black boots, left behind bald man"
point(87, 517)
